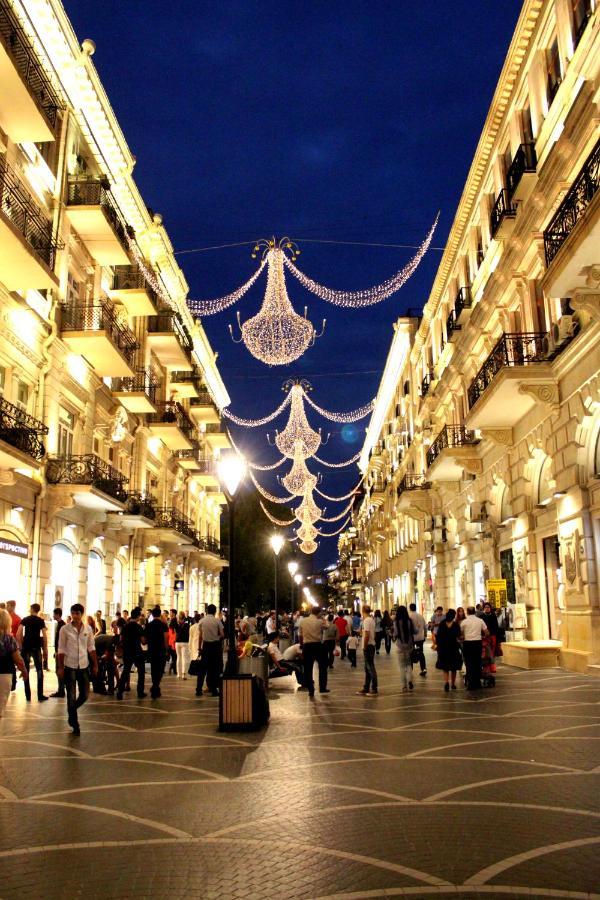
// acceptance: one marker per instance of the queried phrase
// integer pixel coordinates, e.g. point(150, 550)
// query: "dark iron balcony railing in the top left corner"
point(20, 50)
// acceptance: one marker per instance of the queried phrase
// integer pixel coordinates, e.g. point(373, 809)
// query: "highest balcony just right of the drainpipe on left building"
point(92, 212)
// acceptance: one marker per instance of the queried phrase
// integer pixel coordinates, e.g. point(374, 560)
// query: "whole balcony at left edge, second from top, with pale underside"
point(27, 246)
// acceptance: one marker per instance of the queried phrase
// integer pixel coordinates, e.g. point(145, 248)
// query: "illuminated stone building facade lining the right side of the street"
point(482, 459)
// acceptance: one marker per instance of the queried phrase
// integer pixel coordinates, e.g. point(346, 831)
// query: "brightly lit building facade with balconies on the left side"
point(109, 391)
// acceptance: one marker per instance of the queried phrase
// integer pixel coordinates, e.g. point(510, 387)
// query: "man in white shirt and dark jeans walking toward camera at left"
point(76, 648)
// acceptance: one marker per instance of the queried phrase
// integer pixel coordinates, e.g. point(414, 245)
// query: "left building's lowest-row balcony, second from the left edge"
point(90, 481)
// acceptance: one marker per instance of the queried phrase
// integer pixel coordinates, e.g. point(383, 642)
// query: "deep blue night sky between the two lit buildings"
point(330, 121)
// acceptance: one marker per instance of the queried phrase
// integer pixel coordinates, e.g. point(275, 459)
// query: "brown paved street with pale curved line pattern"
point(419, 795)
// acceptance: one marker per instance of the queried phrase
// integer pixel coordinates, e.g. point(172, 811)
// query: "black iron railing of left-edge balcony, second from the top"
point(18, 205)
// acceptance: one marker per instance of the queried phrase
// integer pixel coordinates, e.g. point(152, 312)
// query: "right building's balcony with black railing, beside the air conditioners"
point(515, 376)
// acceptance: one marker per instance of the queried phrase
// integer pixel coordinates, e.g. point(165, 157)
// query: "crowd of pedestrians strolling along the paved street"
point(182, 644)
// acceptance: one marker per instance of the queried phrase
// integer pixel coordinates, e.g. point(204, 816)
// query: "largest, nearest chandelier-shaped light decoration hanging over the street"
point(277, 335)
